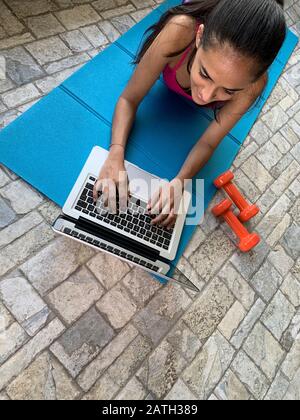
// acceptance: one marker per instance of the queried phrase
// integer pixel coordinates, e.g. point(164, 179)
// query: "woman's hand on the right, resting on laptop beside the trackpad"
point(165, 203)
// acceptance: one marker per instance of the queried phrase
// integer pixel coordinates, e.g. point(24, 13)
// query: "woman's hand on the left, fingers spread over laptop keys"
point(113, 183)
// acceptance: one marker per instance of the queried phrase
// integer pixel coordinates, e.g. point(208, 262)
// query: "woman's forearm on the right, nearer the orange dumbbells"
point(196, 159)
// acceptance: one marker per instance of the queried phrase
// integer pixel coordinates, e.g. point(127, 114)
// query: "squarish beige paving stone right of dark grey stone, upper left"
point(48, 50)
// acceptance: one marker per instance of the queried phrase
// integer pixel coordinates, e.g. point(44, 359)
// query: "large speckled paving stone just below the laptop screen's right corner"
point(209, 309)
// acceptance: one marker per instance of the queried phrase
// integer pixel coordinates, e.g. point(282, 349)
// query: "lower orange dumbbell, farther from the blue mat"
point(247, 240)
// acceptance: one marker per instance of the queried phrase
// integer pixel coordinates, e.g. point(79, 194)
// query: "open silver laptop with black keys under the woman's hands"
point(127, 234)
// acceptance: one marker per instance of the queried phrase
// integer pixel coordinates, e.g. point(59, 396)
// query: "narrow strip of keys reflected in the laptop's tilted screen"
point(109, 248)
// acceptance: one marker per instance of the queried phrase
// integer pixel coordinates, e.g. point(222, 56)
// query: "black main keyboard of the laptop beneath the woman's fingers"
point(135, 220)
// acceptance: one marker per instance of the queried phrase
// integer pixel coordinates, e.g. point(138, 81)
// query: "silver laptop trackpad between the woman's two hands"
point(141, 183)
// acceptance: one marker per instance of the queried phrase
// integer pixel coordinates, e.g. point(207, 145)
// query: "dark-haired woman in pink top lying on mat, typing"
point(214, 52)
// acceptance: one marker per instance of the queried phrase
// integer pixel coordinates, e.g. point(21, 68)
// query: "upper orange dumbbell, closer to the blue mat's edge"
point(247, 211)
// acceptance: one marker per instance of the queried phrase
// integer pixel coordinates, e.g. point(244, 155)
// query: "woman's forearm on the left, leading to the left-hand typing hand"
point(123, 119)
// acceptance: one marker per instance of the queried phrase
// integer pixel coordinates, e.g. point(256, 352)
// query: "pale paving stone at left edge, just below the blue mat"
point(22, 198)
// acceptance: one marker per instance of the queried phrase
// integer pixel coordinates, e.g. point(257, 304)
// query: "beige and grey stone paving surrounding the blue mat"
point(76, 324)
